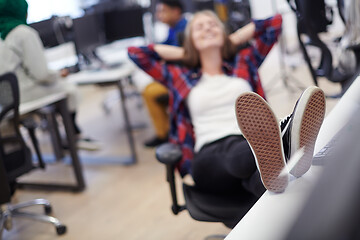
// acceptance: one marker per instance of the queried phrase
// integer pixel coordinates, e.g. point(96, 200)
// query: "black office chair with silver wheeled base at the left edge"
point(16, 159)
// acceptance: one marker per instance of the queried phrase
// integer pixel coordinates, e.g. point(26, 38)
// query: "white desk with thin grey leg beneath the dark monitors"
point(116, 75)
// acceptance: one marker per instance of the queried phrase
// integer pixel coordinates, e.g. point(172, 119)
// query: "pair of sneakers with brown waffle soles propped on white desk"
point(260, 127)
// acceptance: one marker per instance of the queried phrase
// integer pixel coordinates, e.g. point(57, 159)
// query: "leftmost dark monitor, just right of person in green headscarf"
point(46, 31)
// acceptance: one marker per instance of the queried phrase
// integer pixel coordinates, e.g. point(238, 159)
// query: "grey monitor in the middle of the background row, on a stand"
point(87, 34)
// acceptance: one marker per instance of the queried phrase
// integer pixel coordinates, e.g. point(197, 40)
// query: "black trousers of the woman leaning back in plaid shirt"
point(227, 166)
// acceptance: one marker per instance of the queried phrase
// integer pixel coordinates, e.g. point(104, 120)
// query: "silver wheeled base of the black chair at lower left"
point(14, 210)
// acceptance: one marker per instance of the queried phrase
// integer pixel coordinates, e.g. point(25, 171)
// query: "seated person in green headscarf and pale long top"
point(22, 52)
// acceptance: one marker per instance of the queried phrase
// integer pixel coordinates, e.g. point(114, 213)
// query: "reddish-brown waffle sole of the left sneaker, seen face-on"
point(260, 127)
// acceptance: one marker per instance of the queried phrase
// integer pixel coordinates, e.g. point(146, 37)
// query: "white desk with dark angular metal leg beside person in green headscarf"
point(38, 97)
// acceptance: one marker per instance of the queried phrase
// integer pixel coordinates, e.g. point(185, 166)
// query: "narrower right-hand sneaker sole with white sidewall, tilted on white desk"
point(307, 120)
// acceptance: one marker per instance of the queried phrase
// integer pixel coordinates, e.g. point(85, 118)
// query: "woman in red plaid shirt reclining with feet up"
point(202, 92)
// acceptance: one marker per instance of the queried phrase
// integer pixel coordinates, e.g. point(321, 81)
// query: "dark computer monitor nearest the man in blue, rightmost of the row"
point(123, 23)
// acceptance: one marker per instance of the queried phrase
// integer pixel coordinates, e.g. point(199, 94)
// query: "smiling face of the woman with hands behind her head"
point(207, 32)
